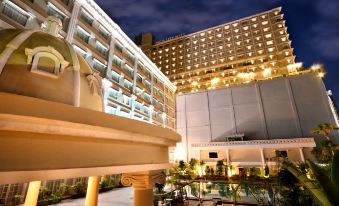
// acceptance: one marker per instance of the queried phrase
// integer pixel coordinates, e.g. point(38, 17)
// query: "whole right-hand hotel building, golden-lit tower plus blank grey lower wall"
point(241, 95)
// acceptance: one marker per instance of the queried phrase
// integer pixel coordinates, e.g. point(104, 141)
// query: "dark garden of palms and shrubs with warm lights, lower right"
point(308, 183)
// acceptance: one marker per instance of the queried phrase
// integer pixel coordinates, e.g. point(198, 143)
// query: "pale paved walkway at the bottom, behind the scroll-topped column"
point(117, 197)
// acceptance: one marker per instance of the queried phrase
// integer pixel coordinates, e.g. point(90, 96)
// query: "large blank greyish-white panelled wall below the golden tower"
point(279, 108)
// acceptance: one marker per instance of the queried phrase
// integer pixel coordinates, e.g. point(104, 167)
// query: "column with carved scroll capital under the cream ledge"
point(143, 183)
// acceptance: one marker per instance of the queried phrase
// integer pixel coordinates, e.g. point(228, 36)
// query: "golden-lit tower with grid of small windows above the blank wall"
point(252, 48)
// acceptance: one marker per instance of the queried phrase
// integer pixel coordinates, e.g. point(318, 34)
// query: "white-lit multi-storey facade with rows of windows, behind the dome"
point(134, 87)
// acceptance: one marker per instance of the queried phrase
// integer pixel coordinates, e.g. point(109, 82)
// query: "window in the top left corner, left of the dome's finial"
point(16, 13)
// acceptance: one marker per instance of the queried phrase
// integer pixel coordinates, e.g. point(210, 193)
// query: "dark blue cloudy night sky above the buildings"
point(313, 25)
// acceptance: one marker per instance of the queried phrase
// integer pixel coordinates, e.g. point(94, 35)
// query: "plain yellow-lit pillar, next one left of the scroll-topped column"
point(92, 191)
